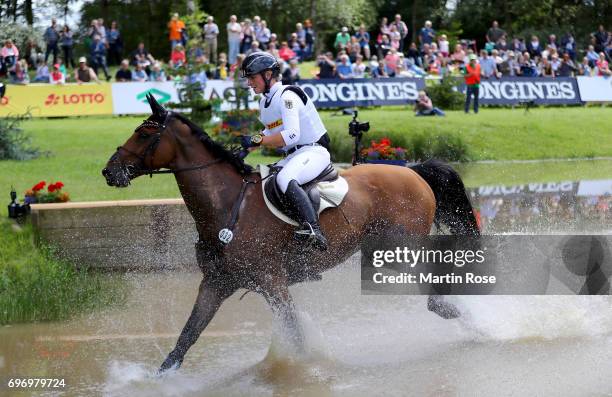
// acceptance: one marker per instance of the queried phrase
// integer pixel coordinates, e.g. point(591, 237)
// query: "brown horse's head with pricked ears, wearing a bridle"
point(149, 148)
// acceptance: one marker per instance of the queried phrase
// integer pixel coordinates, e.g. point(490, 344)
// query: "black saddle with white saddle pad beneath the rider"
point(326, 190)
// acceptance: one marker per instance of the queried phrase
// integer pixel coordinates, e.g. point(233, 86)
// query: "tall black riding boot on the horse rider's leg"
point(310, 229)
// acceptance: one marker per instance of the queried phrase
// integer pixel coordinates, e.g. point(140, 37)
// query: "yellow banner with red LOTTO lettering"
point(44, 100)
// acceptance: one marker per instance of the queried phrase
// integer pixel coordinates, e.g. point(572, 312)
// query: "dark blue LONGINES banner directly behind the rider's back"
point(336, 93)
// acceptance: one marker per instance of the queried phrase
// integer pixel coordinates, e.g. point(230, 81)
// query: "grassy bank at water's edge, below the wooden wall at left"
point(36, 286)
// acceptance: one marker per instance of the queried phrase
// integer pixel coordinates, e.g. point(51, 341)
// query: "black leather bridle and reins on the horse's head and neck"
point(133, 171)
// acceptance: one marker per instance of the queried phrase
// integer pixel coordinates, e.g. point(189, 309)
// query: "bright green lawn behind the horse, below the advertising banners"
point(81, 146)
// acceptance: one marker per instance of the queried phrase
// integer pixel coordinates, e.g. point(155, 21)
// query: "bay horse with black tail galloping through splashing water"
point(263, 257)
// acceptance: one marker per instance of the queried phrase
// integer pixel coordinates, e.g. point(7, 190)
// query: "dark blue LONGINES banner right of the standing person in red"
point(539, 90)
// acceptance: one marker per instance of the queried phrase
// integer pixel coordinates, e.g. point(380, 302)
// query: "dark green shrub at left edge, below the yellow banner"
point(14, 143)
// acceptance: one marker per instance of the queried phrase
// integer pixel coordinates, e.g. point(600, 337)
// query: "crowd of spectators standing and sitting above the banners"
point(356, 53)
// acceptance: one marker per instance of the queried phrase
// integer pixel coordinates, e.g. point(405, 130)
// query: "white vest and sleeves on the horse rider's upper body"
point(284, 111)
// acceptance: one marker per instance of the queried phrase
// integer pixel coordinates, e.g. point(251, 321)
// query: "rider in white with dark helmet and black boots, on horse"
point(291, 121)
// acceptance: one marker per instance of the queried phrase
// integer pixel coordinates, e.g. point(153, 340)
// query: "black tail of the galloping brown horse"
point(453, 207)
